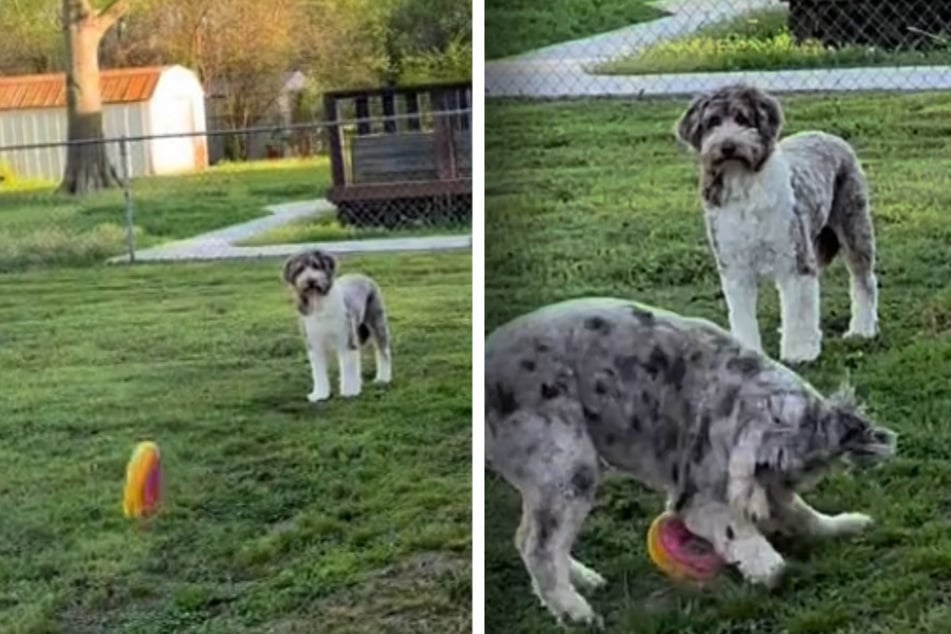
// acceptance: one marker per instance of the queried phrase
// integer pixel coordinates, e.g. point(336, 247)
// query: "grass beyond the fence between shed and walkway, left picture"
point(39, 226)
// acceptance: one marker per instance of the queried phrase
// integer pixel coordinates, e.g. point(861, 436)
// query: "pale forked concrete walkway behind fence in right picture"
point(561, 70)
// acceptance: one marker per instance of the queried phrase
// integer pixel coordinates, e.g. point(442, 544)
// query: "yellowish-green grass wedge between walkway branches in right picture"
point(759, 40)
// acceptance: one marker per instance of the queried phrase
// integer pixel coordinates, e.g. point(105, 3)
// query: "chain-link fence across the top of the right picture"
point(684, 46)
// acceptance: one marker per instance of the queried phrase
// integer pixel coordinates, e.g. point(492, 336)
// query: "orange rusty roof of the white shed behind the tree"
point(121, 85)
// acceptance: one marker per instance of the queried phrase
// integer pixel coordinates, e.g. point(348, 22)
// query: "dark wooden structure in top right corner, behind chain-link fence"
point(888, 24)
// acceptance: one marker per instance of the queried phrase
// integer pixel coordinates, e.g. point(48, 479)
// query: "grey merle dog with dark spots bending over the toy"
point(589, 386)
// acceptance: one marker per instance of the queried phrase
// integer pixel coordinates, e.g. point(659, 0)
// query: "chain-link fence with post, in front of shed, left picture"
point(389, 164)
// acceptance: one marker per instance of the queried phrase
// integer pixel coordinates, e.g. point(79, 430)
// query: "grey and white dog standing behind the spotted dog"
point(781, 210)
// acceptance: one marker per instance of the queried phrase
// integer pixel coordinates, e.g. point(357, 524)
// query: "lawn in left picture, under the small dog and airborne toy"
point(280, 516)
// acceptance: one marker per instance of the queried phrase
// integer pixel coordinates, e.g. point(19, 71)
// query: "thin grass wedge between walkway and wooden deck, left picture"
point(328, 228)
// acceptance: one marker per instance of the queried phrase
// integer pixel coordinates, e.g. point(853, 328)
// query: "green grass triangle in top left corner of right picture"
point(518, 26)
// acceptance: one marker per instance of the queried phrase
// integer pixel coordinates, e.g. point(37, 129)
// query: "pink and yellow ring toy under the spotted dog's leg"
point(679, 553)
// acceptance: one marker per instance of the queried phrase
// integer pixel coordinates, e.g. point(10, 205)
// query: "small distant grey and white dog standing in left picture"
point(338, 315)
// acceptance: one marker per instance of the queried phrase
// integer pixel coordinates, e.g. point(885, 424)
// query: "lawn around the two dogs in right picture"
point(592, 198)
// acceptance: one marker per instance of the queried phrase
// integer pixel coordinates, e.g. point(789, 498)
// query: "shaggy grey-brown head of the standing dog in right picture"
point(736, 123)
